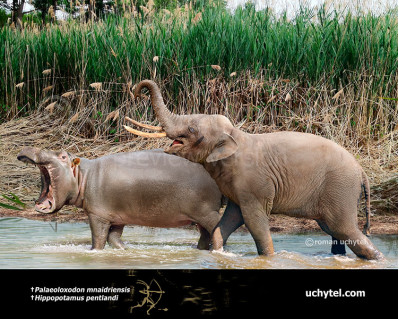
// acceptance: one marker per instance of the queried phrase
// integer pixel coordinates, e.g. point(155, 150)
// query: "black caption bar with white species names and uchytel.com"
point(195, 293)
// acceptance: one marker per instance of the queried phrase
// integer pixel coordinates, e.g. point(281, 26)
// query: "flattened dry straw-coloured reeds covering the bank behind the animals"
point(43, 131)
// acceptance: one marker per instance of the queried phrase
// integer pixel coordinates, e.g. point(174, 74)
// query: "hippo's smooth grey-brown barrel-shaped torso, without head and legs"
point(137, 187)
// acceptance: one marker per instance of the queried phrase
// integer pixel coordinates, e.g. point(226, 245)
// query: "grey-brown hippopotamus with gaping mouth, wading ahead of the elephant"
point(147, 188)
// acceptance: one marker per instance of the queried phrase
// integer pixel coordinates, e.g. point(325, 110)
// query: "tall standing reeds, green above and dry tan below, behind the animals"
point(325, 71)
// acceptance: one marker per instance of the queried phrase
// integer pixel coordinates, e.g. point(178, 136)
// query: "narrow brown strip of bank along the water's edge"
point(380, 224)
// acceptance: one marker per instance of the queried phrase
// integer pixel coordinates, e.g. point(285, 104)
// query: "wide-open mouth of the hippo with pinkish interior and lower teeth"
point(46, 202)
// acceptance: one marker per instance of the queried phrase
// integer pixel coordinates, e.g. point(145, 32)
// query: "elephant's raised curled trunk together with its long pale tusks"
point(166, 118)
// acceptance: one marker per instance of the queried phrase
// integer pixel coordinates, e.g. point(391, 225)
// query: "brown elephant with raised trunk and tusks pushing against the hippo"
point(292, 173)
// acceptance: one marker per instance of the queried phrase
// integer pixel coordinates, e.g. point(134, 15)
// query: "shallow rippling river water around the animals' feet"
point(34, 244)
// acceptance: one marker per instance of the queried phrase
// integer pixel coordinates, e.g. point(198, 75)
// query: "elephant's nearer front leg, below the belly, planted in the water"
point(256, 219)
